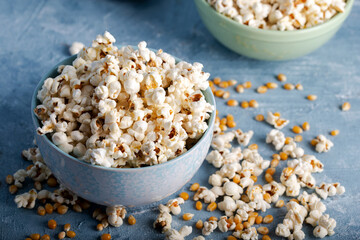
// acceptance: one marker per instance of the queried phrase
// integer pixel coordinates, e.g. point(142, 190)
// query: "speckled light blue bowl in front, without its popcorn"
point(131, 187)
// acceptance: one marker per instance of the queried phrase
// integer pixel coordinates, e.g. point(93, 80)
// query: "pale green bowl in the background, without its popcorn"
point(268, 44)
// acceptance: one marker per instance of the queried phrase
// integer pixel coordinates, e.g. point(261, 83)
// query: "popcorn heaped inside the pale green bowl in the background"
point(279, 15)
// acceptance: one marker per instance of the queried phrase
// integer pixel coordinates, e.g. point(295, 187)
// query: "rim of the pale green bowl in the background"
point(277, 33)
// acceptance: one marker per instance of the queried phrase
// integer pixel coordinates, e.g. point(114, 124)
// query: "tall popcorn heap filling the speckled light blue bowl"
point(124, 107)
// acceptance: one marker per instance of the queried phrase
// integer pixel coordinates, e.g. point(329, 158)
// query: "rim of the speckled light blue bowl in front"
point(36, 122)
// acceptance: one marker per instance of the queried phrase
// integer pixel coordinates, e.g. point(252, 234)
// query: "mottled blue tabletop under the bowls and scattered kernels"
point(35, 35)
